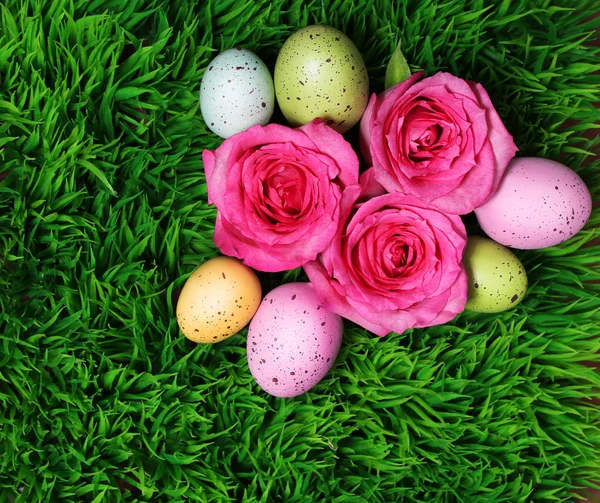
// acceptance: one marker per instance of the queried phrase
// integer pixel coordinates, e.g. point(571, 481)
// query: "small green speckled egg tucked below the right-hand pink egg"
point(497, 279)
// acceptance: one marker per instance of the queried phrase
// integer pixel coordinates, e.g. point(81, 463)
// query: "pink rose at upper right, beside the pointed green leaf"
point(439, 139)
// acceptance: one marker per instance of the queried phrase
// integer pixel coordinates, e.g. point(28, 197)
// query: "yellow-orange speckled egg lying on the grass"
point(218, 300)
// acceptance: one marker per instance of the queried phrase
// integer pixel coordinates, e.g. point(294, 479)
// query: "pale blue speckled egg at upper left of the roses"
point(236, 93)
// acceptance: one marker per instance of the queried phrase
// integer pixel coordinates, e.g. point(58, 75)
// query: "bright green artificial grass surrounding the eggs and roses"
point(103, 214)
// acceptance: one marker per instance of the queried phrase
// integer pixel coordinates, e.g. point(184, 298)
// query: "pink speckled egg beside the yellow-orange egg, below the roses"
point(292, 341)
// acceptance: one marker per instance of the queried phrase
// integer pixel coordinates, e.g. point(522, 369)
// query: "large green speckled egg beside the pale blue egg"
point(320, 74)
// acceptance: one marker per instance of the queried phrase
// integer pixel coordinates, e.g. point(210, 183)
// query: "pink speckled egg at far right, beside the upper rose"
point(539, 203)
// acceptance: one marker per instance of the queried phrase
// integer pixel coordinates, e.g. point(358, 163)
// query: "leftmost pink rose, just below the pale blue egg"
point(278, 191)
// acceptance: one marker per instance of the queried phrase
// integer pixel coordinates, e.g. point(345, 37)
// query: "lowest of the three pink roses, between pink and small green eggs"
point(395, 263)
